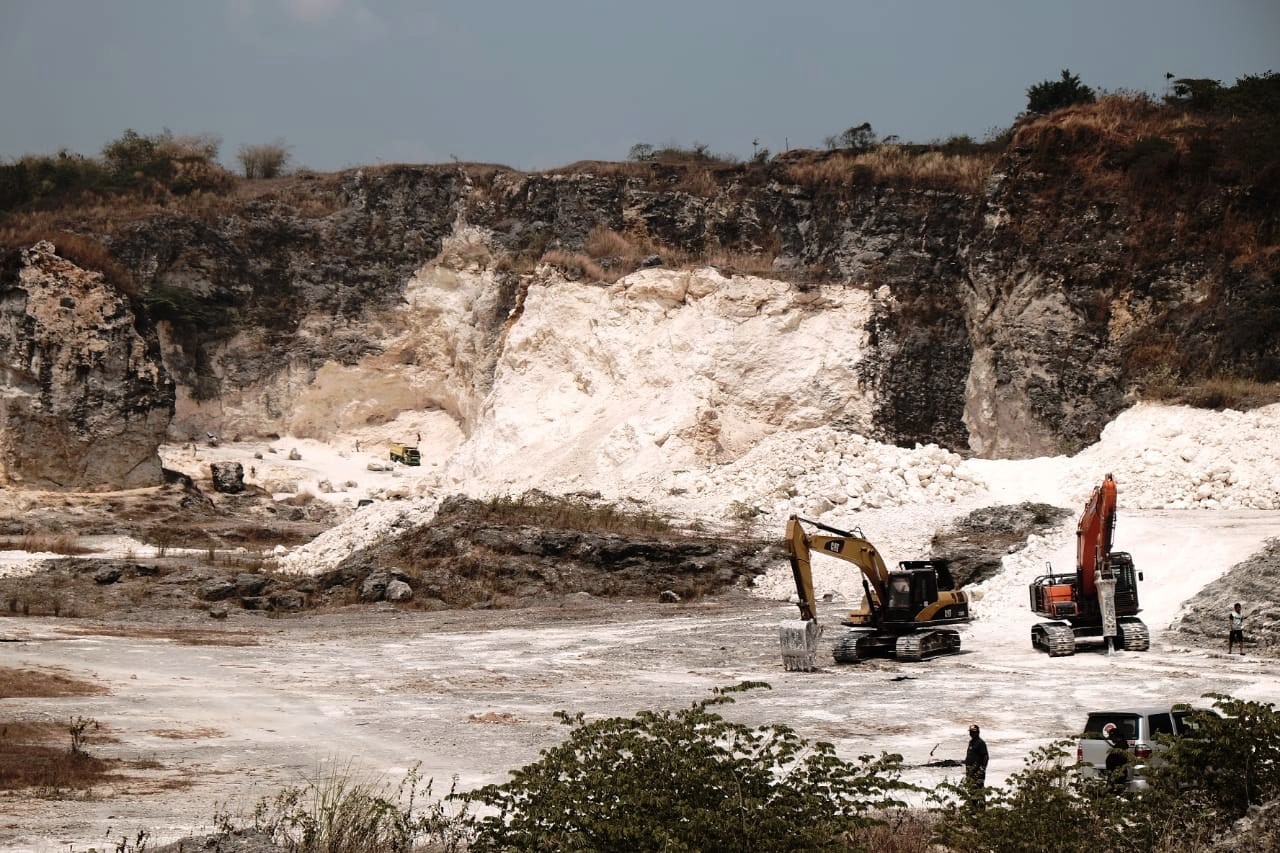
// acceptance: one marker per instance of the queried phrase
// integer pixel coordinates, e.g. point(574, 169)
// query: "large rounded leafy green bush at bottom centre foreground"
point(685, 781)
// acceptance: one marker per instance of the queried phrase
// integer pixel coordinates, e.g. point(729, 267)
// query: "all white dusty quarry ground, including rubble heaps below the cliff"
point(383, 690)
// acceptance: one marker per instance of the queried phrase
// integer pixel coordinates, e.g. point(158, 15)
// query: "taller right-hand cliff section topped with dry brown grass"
point(1077, 294)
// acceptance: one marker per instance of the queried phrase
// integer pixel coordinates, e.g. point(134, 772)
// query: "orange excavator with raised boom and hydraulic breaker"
point(1098, 604)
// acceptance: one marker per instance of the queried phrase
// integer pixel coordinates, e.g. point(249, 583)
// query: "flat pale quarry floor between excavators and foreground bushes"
point(230, 713)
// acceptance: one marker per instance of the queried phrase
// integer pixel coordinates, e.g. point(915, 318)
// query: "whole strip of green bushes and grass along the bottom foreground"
point(691, 781)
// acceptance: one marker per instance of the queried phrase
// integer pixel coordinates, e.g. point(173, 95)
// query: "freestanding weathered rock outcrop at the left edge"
point(85, 402)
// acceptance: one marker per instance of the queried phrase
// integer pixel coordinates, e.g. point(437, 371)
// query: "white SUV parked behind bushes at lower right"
point(1140, 726)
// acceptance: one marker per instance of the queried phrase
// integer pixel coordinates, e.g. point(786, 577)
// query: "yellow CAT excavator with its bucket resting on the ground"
point(903, 613)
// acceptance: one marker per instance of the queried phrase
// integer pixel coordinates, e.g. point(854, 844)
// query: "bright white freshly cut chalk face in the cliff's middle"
point(612, 387)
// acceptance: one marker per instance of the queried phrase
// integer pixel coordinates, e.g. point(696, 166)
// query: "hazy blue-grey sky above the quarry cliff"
point(541, 84)
